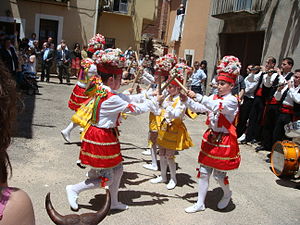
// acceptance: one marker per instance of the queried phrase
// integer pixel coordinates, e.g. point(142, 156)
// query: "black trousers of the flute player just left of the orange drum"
point(271, 116)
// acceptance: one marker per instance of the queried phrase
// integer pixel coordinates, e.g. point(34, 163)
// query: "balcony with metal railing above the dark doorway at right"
point(228, 9)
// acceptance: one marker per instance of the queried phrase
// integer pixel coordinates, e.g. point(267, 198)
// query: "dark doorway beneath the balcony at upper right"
point(247, 47)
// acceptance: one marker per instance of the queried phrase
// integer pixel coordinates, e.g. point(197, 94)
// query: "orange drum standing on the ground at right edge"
point(285, 158)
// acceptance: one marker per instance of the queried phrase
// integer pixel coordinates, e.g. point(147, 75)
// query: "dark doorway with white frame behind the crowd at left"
point(48, 28)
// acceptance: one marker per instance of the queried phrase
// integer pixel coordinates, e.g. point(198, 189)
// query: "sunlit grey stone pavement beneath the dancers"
point(42, 162)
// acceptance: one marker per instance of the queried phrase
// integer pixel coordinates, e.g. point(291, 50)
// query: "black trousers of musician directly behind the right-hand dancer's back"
point(245, 110)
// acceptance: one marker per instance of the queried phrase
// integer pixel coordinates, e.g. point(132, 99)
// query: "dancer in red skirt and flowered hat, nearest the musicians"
point(219, 149)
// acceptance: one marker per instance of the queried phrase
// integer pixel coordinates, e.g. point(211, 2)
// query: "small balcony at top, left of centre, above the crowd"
point(117, 6)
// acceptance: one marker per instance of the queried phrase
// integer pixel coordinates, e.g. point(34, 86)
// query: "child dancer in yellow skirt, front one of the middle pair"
point(172, 133)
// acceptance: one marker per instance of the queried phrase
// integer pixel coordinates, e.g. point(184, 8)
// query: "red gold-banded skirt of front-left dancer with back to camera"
point(100, 148)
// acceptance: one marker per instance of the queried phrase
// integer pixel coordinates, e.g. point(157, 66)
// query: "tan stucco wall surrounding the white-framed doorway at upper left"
point(78, 17)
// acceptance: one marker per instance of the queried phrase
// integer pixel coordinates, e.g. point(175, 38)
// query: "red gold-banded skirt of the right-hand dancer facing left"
point(217, 151)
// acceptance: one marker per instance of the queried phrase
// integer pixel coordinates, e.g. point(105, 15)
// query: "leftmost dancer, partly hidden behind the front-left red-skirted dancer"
point(78, 96)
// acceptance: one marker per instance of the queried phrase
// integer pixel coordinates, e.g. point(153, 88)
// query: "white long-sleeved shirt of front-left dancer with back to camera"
point(113, 106)
